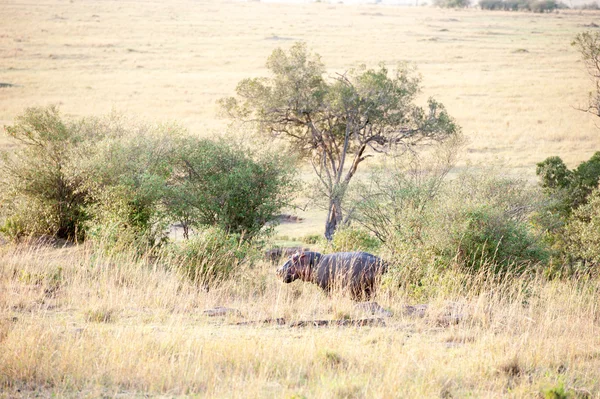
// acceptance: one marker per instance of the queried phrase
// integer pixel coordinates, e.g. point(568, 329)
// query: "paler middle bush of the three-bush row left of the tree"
point(127, 178)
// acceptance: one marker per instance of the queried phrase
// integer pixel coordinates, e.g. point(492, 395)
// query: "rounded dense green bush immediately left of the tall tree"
point(217, 185)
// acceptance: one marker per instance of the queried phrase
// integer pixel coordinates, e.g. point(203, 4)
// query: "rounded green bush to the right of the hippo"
point(483, 219)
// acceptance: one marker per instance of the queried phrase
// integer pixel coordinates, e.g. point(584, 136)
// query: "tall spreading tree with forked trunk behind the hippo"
point(340, 122)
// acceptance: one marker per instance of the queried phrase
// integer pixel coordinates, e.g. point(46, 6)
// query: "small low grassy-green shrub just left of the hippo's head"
point(212, 255)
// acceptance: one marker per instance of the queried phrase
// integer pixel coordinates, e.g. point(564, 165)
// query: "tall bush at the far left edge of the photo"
point(41, 191)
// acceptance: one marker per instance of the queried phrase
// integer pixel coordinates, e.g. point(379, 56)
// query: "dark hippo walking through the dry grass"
point(356, 272)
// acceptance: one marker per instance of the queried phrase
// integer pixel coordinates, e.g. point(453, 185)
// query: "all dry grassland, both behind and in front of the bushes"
point(75, 323)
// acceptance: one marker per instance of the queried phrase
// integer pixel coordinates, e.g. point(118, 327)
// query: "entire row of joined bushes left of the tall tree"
point(122, 184)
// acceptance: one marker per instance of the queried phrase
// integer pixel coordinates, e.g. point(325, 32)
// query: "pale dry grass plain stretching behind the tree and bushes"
point(512, 80)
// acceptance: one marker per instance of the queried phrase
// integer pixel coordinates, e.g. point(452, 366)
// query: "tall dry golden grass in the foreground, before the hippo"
point(76, 323)
